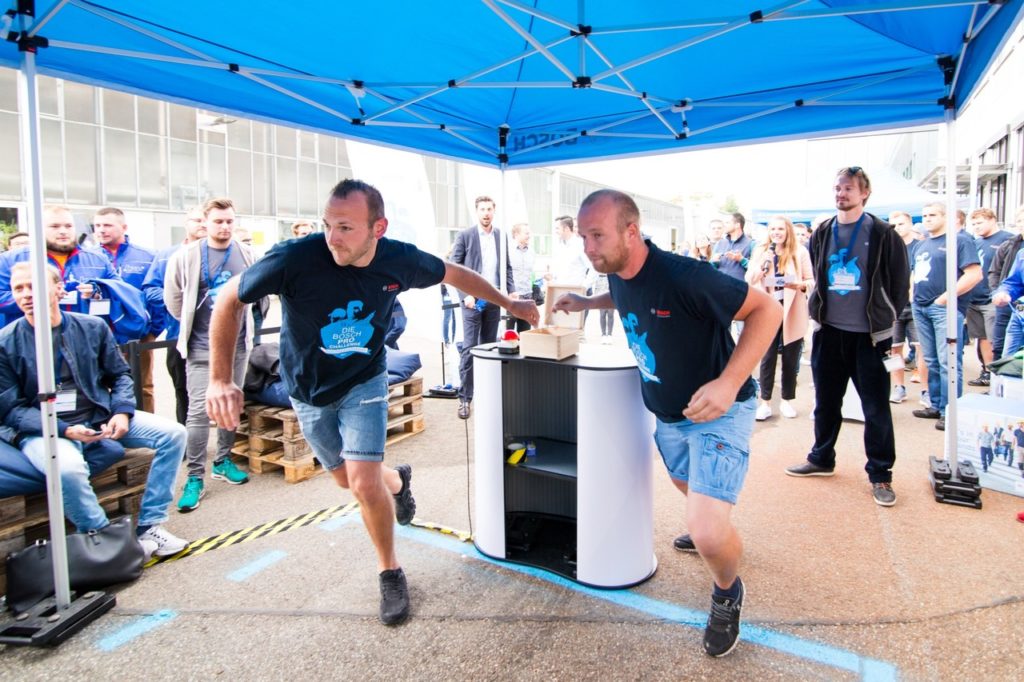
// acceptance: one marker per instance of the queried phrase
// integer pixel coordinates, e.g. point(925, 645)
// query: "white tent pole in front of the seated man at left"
point(33, 179)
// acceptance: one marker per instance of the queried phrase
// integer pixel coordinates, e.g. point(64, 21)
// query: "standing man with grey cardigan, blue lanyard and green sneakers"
point(195, 276)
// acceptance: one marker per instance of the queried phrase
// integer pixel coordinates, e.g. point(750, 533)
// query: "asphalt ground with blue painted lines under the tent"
point(838, 587)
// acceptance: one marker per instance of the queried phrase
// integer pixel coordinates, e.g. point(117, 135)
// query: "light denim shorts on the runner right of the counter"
point(721, 451)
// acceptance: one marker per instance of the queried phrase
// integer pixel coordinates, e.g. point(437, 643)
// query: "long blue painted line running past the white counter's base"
point(869, 669)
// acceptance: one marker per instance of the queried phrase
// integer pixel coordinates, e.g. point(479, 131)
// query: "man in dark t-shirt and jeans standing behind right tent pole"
point(929, 280)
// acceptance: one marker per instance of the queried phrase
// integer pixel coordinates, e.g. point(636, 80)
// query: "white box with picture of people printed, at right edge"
point(983, 420)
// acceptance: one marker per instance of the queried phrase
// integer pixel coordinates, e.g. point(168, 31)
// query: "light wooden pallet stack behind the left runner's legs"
point(271, 439)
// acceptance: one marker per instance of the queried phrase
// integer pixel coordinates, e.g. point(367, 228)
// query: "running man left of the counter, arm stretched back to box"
point(338, 290)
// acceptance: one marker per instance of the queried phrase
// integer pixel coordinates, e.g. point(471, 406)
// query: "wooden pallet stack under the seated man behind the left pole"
point(24, 519)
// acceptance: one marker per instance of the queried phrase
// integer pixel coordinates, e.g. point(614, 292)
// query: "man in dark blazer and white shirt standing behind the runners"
point(479, 248)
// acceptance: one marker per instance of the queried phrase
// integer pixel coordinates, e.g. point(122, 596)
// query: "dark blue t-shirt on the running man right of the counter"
point(677, 314)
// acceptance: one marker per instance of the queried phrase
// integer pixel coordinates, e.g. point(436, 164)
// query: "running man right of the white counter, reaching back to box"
point(677, 314)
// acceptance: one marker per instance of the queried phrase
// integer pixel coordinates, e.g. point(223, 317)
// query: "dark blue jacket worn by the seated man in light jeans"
point(89, 349)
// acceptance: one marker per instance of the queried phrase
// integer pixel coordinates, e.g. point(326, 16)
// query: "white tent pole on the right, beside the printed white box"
point(953, 329)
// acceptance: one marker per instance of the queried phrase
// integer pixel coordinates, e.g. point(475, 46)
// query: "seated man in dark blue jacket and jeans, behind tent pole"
point(96, 400)
